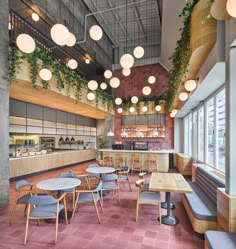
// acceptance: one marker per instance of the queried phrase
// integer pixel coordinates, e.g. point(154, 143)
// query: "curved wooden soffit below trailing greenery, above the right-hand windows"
point(202, 40)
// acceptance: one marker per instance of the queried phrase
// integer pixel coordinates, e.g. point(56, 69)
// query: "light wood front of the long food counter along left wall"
point(21, 166)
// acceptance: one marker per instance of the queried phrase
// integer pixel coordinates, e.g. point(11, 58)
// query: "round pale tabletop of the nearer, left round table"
point(58, 183)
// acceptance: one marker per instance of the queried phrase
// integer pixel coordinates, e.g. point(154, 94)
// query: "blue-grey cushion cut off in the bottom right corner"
point(219, 240)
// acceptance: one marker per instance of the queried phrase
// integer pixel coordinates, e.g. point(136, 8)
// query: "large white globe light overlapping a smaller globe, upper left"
point(59, 34)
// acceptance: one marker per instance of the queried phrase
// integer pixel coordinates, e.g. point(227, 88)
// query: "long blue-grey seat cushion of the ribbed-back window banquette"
point(201, 205)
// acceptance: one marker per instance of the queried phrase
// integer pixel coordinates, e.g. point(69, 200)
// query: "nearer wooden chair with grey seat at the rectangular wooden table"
point(151, 198)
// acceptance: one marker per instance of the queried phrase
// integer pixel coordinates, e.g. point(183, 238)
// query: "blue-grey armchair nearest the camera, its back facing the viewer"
point(44, 207)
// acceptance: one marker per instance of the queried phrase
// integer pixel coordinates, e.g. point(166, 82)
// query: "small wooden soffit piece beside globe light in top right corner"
point(218, 10)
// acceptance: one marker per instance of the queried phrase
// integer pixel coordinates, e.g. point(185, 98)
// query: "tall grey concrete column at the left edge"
point(4, 104)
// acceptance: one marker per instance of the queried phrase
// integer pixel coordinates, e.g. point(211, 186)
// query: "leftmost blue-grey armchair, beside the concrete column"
point(24, 191)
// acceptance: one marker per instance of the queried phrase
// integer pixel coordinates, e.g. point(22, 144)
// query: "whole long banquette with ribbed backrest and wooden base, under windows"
point(201, 205)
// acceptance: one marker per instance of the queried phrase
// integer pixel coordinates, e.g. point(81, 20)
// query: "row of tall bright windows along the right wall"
point(204, 137)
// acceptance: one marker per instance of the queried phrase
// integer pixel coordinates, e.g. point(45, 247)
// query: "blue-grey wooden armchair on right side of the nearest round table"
point(89, 197)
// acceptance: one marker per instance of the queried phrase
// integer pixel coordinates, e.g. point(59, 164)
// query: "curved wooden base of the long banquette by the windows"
point(199, 226)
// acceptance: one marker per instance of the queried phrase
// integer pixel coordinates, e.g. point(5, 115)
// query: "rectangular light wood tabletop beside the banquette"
point(169, 182)
